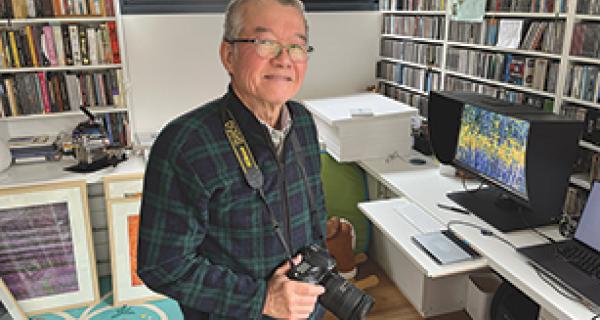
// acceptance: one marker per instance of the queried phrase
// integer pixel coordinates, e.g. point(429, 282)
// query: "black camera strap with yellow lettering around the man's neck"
point(255, 178)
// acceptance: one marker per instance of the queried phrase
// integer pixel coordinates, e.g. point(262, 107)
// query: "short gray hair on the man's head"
point(234, 16)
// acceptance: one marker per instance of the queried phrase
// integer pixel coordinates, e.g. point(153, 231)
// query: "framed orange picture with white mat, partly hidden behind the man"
point(123, 224)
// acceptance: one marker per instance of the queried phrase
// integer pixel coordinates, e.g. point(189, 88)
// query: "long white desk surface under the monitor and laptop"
point(424, 185)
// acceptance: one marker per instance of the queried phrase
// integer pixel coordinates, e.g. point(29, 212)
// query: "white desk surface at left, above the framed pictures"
point(51, 171)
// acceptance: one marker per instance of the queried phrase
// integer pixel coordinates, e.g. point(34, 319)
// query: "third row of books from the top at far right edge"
point(582, 83)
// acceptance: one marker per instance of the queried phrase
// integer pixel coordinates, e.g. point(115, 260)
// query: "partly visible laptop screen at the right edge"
point(589, 224)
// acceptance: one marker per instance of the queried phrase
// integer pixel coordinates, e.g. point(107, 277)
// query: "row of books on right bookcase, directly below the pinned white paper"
point(536, 73)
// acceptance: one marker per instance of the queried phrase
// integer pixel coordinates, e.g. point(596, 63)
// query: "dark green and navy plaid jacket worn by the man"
point(206, 238)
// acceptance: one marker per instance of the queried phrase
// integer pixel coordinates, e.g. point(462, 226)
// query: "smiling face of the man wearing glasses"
point(261, 80)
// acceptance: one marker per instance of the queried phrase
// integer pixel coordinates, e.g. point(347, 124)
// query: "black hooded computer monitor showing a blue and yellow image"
point(524, 156)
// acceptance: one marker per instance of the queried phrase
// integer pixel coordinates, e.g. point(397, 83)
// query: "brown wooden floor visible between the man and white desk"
point(389, 301)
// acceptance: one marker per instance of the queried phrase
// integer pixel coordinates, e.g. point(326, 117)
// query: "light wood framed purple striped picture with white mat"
point(48, 261)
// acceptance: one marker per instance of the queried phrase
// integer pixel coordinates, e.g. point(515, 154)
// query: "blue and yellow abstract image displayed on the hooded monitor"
point(494, 145)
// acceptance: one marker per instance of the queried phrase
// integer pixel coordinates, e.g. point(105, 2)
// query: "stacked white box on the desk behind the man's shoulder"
point(362, 126)
